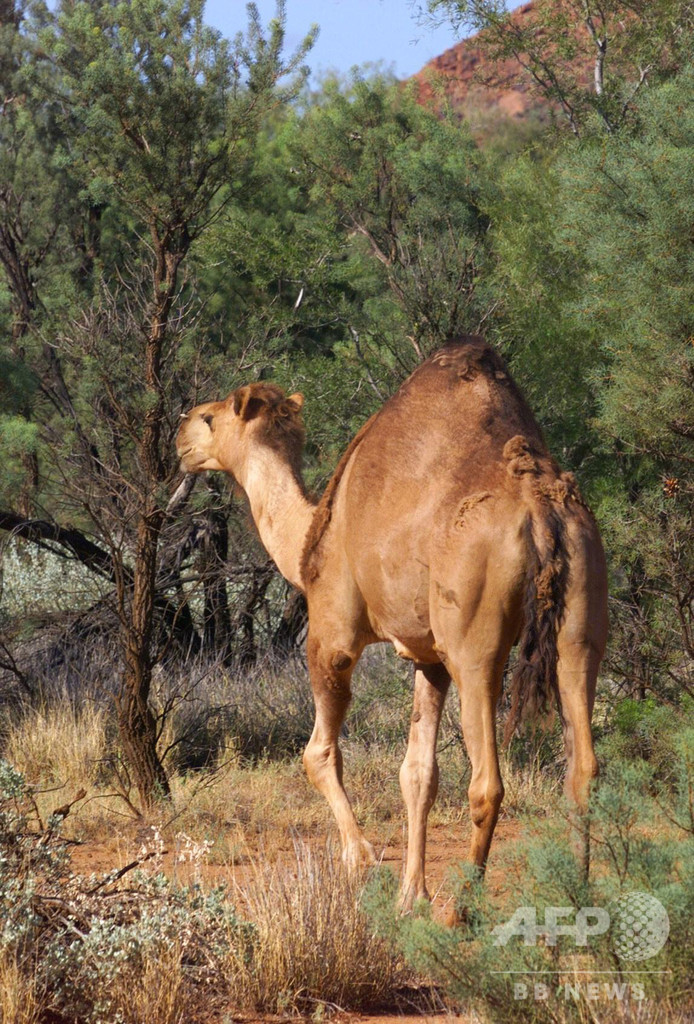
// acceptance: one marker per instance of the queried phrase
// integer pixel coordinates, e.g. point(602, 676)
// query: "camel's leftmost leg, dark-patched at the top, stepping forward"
point(331, 669)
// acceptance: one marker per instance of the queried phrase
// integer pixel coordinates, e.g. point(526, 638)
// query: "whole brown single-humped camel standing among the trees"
point(449, 531)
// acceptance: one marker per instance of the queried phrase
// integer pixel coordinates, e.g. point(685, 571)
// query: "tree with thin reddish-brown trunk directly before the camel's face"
point(161, 114)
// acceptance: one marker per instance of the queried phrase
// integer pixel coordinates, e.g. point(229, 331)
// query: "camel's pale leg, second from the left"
point(419, 775)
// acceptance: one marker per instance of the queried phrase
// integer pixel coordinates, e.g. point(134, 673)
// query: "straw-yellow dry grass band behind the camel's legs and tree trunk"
point(246, 803)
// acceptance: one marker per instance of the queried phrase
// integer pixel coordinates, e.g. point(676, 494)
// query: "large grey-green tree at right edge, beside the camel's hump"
point(595, 275)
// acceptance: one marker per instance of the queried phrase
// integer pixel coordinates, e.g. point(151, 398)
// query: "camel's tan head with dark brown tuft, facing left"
point(221, 435)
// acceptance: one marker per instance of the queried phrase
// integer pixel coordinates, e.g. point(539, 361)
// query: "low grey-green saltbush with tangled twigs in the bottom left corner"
point(89, 944)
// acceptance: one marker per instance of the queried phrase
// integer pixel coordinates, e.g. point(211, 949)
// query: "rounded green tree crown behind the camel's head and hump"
point(359, 251)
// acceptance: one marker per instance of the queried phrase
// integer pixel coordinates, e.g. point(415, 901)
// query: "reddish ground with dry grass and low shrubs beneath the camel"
point(235, 899)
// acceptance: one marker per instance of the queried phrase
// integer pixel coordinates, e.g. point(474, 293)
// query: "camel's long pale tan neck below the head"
point(281, 511)
